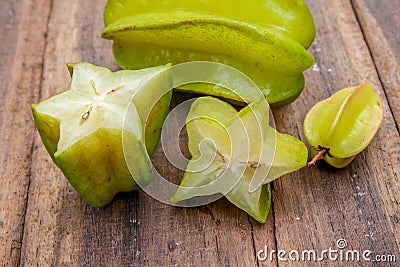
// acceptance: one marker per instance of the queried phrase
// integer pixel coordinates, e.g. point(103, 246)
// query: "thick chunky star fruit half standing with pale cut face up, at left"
point(94, 131)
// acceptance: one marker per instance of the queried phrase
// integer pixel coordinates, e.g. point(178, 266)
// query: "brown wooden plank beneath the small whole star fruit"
point(315, 207)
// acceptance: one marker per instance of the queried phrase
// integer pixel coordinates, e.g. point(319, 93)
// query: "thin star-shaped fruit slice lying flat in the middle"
point(236, 154)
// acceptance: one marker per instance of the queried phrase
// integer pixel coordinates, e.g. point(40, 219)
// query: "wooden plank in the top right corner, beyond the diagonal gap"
point(380, 23)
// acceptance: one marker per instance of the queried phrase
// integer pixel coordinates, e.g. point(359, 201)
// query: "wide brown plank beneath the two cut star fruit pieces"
point(135, 229)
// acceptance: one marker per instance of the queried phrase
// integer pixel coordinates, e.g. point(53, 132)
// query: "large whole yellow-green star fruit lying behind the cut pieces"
point(274, 57)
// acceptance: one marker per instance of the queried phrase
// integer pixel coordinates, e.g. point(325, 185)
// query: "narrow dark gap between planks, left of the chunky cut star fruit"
point(34, 129)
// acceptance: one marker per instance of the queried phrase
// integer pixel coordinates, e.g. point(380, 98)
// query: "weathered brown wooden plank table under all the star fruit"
point(43, 222)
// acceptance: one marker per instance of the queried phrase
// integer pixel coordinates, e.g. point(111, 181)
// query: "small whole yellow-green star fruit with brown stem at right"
point(345, 123)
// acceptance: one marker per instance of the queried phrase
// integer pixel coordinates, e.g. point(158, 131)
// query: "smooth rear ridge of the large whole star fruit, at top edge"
point(291, 16)
